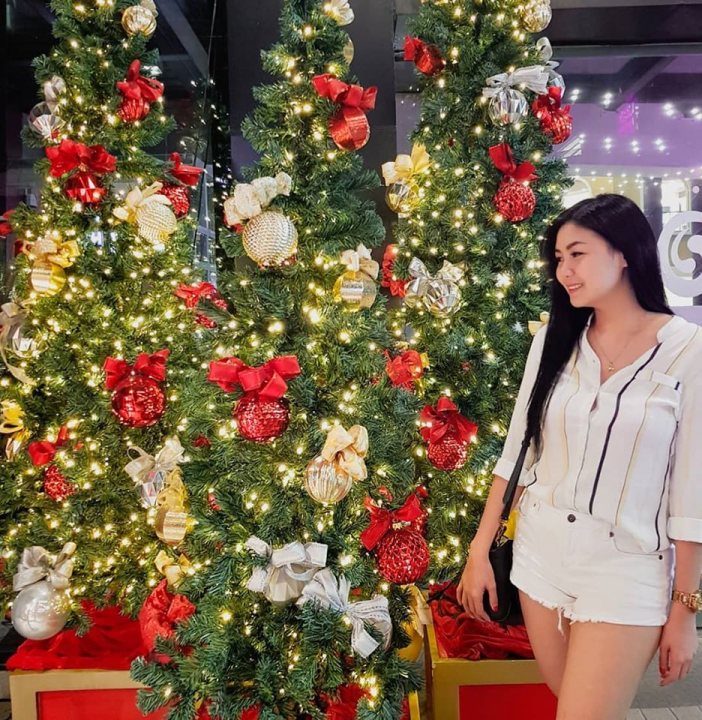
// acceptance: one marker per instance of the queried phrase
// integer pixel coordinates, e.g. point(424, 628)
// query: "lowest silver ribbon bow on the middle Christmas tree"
point(326, 591)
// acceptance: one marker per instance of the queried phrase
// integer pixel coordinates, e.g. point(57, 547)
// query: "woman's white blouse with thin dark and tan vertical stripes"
point(628, 451)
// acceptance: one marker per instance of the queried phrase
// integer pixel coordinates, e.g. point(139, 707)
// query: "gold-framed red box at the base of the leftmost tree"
point(76, 695)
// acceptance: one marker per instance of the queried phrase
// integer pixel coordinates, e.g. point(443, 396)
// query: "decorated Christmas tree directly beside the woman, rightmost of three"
point(473, 199)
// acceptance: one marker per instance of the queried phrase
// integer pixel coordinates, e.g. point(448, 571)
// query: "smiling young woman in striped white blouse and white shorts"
point(611, 490)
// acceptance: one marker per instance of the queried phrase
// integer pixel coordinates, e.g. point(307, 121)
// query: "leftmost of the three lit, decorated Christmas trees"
point(98, 340)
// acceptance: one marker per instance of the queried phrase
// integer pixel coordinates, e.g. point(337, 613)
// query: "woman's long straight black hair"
point(620, 222)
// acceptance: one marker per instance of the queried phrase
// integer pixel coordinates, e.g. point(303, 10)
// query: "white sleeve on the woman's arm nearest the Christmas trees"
point(517, 426)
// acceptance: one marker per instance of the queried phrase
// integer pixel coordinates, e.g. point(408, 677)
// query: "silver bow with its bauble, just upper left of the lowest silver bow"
point(289, 568)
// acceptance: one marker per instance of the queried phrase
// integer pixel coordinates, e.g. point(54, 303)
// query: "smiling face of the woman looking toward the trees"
point(587, 266)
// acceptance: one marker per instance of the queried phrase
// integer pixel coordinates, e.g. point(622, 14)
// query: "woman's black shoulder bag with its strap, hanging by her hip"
point(509, 611)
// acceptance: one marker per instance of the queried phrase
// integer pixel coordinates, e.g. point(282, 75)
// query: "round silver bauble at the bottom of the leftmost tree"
point(40, 611)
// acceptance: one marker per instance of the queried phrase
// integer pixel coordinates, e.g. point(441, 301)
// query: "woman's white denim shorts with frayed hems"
point(575, 563)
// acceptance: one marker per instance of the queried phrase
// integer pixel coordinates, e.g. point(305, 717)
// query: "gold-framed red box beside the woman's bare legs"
point(460, 689)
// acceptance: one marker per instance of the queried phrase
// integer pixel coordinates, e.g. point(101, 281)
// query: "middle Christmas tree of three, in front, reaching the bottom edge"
point(308, 519)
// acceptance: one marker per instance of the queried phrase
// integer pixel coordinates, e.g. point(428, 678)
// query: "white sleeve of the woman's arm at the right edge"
point(685, 499)
